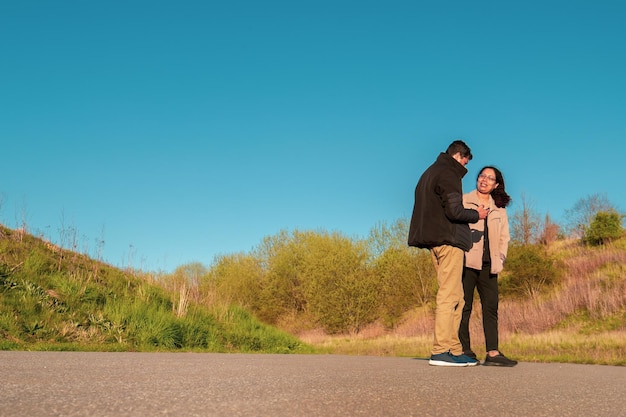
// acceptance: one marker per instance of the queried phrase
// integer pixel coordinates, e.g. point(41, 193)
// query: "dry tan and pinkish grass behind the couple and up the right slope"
point(583, 321)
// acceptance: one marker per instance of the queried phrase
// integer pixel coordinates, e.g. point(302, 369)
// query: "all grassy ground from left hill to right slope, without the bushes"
point(55, 299)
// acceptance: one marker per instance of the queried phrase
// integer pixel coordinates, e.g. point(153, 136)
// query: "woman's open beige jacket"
point(499, 235)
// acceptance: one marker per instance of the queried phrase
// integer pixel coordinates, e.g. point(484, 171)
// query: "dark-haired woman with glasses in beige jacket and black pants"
point(485, 260)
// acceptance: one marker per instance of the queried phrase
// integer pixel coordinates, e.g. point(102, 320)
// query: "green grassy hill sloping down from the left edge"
point(55, 299)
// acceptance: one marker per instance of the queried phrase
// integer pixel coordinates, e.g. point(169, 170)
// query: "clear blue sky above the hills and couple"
point(176, 131)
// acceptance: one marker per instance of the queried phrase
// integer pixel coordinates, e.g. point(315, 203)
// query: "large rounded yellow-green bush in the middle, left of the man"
point(316, 279)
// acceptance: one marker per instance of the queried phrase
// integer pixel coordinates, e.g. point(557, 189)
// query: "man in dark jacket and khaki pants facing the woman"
point(440, 224)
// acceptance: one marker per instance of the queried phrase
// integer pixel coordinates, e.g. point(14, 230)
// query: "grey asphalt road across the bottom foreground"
point(199, 384)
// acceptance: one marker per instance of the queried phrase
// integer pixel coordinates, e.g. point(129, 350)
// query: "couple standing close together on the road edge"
point(467, 236)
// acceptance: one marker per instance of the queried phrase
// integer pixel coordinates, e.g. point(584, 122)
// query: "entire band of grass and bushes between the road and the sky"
point(563, 295)
